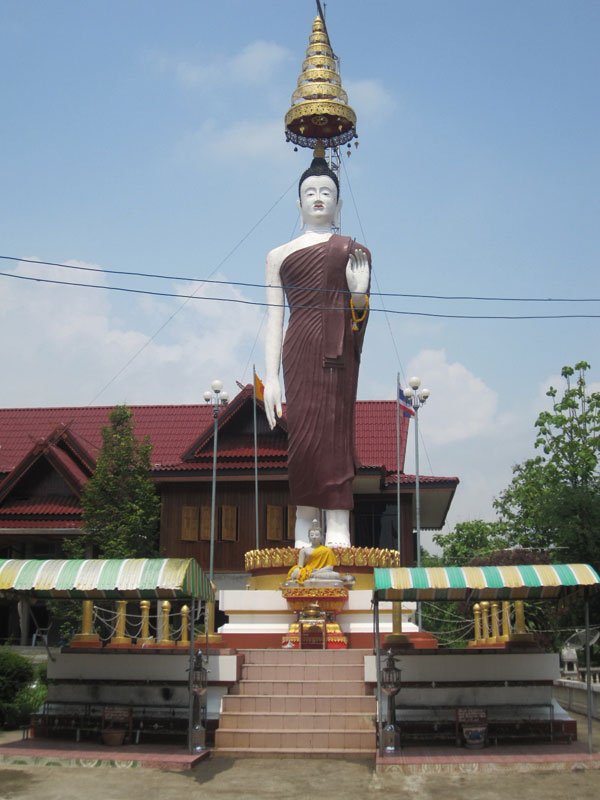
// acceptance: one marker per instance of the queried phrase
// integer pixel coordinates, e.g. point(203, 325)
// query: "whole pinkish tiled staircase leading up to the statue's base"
point(303, 703)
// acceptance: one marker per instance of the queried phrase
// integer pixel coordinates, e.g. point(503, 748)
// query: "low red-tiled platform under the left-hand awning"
point(57, 752)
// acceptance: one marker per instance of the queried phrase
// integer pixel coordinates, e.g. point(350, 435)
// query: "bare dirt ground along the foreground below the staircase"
point(292, 779)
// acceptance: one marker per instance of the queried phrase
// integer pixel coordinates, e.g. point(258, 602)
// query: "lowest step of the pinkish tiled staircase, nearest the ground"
point(300, 739)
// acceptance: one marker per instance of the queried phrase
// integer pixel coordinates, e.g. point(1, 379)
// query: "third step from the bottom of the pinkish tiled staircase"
point(294, 703)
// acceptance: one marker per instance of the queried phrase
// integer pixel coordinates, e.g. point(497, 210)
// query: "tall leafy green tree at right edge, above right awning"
point(553, 500)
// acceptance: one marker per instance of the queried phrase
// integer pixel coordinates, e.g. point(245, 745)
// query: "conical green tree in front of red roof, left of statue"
point(121, 508)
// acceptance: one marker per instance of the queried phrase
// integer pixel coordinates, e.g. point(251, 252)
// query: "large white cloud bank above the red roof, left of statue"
point(67, 343)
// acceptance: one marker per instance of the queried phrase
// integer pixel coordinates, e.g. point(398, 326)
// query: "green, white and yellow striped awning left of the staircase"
point(96, 578)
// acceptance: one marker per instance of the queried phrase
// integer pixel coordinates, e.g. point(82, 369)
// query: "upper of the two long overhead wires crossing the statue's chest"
point(407, 295)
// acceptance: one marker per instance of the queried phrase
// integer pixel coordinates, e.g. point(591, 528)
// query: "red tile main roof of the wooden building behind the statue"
point(179, 430)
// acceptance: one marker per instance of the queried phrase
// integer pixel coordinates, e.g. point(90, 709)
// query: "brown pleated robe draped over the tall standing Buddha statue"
point(321, 357)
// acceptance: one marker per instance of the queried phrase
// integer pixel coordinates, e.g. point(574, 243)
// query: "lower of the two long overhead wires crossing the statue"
point(264, 304)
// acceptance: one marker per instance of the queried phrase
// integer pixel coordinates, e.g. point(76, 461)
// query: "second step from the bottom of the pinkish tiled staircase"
point(250, 720)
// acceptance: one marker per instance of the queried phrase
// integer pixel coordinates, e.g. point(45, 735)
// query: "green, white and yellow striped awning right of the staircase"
point(483, 583)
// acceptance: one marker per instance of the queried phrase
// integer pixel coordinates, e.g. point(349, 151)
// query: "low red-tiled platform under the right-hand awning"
point(510, 758)
